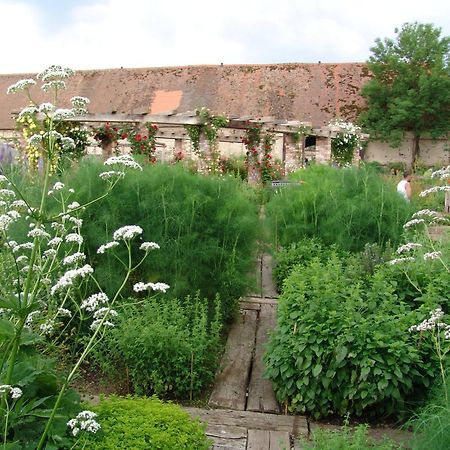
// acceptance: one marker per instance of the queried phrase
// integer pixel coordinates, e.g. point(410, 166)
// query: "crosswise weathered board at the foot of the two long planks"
point(253, 420)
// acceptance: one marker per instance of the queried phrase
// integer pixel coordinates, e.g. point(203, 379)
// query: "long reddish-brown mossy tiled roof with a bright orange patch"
point(306, 92)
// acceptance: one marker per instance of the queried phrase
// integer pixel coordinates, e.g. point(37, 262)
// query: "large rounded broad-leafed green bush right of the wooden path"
point(341, 344)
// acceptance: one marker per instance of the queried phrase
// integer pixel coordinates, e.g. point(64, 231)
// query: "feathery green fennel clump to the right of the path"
point(348, 207)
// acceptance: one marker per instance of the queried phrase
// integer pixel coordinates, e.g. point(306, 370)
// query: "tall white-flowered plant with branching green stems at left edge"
point(44, 274)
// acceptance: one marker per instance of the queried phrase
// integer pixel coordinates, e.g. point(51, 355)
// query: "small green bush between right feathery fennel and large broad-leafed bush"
point(301, 252)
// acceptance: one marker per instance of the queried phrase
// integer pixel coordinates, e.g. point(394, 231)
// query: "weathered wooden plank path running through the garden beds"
point(243, 413)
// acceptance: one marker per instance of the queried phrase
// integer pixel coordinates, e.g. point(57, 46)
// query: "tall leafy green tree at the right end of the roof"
point(410, 86)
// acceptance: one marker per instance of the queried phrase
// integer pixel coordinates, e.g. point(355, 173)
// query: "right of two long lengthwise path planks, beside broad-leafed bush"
point(261, 396)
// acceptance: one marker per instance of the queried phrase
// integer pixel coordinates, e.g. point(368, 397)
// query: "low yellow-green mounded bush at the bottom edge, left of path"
point(143, 424)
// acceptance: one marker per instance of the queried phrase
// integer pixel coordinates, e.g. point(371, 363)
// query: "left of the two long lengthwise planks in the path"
point(230, 387)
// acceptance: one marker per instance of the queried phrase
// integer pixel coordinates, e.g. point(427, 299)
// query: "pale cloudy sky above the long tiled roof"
point(97, 34)
